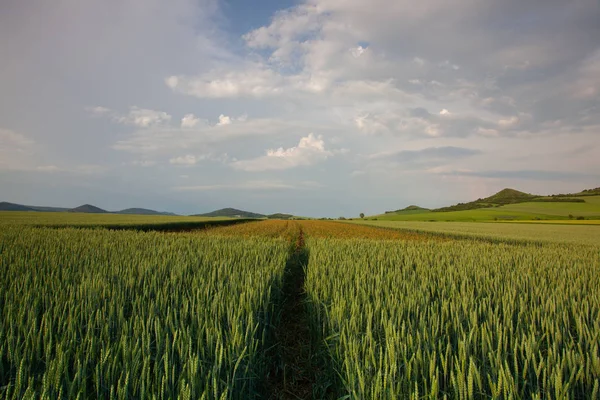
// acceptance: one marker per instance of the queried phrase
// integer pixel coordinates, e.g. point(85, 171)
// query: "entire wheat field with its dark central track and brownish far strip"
point(299, 309)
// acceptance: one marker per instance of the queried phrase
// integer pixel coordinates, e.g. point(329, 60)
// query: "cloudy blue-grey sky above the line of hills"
point(316, 108)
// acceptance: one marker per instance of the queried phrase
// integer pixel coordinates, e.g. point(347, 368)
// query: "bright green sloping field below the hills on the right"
point(522, 211)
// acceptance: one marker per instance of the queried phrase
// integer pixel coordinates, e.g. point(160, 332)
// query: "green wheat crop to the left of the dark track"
point(101, 314)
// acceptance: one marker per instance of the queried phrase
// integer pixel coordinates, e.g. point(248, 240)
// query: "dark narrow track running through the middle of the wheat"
point(297, 371)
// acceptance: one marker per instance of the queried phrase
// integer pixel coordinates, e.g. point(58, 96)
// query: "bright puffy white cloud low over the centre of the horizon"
point(310, 150)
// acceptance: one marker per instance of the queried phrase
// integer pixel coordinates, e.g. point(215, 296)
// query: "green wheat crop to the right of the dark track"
point(458, 319)
